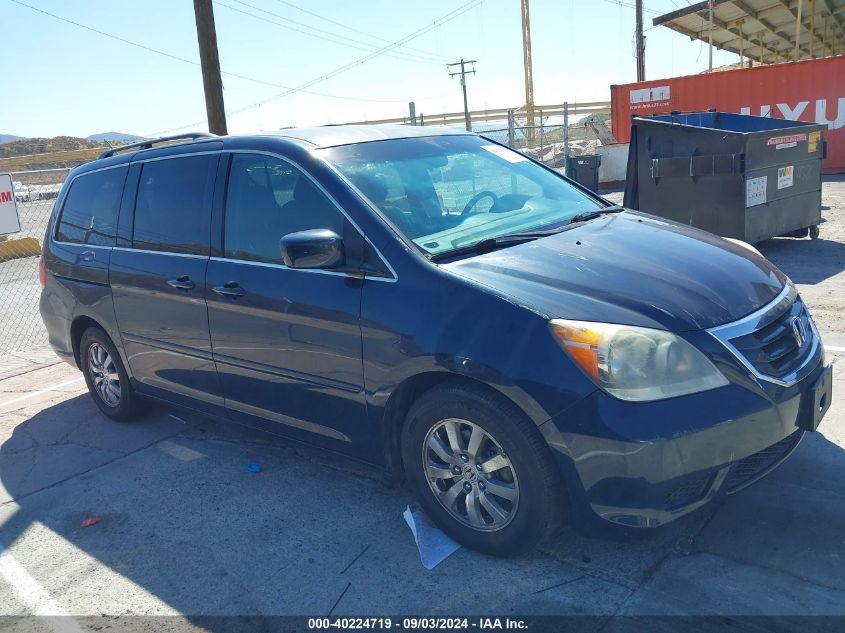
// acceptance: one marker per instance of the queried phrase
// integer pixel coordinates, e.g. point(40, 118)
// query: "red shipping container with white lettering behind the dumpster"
point(811, 90)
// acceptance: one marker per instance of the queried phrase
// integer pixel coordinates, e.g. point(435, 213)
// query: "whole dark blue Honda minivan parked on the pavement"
point(440, 306)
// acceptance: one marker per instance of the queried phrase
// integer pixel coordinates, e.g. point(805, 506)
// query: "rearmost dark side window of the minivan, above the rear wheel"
point(89, 215)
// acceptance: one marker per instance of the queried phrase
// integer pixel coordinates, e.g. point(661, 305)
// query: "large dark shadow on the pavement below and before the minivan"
point(185, 527)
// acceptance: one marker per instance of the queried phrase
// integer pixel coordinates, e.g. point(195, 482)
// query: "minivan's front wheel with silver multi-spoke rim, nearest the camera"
point(482, 470)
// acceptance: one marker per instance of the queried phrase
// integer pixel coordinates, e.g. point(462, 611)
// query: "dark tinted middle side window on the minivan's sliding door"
point(172, 208)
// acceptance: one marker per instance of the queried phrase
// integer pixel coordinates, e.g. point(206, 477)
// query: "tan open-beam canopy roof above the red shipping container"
point(766, 28)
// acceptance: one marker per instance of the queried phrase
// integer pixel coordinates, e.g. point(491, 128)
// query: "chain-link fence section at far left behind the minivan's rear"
point(21, 328)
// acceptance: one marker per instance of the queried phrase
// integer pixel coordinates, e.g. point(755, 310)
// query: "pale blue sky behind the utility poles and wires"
point(144, 77)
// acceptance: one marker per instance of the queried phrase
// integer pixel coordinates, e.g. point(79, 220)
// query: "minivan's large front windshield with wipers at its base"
point(451, 192)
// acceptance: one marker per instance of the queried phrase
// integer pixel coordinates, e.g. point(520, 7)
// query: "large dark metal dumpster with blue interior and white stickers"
point(735, 175)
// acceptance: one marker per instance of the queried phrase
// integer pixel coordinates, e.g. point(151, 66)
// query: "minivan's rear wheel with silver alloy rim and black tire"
point(107, 380)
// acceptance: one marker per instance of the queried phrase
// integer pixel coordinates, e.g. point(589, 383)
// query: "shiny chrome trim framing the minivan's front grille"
point(760, 318)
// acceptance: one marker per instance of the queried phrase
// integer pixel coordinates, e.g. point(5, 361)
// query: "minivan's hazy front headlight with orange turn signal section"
point(636, 363)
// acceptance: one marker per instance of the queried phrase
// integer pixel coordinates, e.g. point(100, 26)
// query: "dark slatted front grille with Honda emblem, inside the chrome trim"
point(782, 345)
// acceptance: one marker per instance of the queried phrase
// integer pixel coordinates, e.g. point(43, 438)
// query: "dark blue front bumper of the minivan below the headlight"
point(645, 464)
